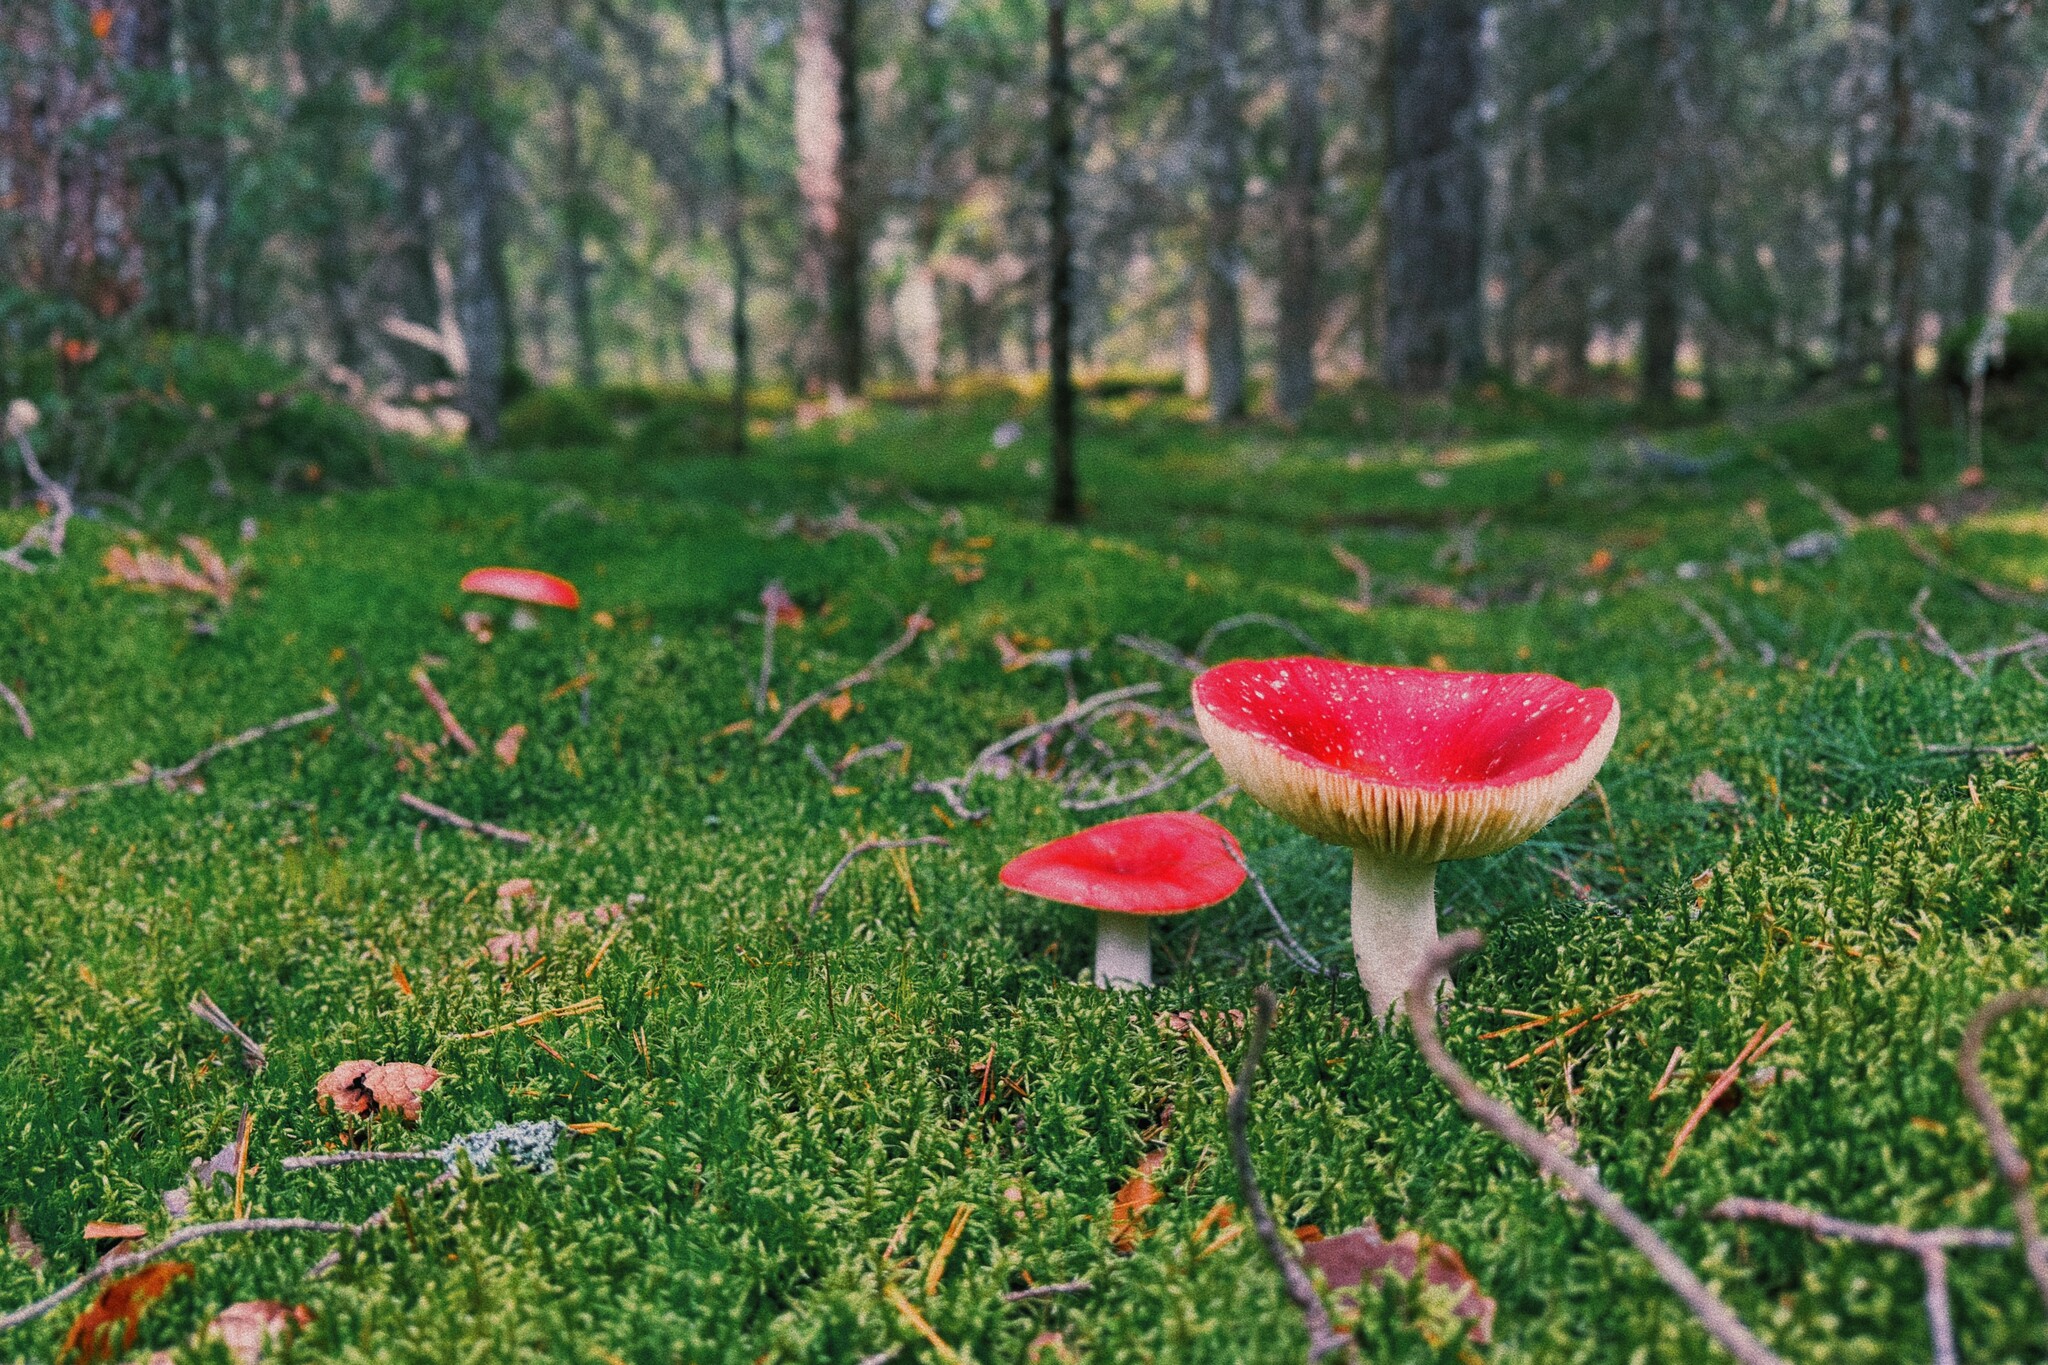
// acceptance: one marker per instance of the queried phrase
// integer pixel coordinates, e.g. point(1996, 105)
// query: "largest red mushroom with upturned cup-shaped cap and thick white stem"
point(1408, 768)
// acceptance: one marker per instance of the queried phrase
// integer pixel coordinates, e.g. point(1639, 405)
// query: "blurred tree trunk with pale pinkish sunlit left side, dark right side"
point(828, 167)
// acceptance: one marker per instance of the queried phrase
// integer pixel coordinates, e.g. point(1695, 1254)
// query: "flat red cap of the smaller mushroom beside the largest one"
point(1142, 865)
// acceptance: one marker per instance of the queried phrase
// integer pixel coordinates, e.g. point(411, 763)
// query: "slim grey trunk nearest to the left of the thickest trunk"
point(1302, 40)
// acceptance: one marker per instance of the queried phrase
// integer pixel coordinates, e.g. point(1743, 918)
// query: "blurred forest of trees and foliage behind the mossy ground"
point(437, 208)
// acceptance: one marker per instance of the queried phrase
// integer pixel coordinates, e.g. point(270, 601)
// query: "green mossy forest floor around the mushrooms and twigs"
point(792, 1110)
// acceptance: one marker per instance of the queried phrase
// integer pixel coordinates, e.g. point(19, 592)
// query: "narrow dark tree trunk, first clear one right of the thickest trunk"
point(1664, 253)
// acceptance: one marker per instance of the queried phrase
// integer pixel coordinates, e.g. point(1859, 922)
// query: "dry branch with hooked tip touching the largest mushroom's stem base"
point(1512, 1129)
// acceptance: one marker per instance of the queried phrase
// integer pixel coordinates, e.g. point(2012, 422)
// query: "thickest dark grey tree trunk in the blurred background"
point(1435, 195)
